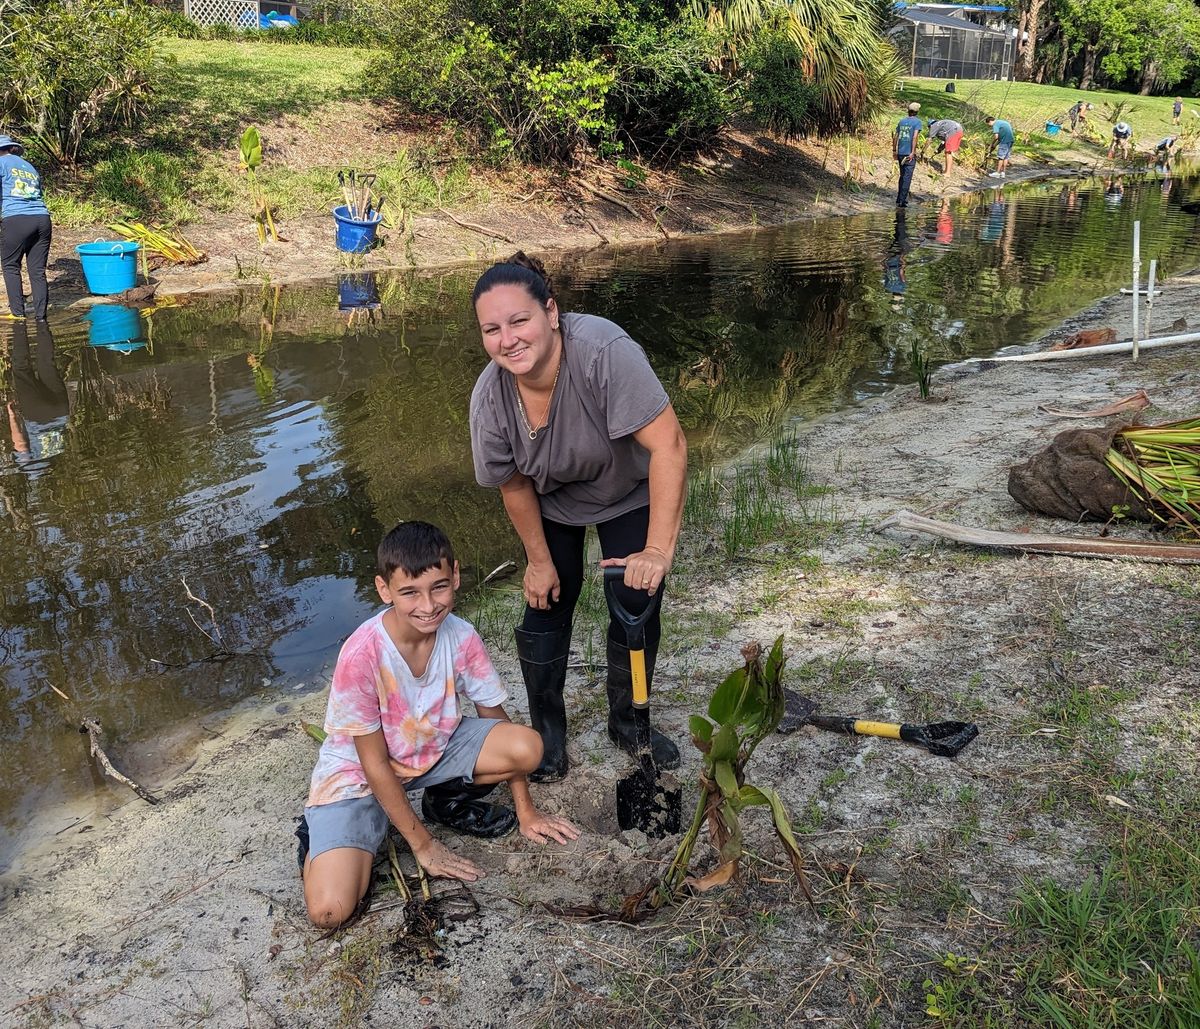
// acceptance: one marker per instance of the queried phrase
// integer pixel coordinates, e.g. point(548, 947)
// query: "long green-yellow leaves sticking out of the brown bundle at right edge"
point(1161, 465)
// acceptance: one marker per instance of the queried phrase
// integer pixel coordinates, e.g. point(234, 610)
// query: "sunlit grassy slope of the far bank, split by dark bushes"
point(317, 111)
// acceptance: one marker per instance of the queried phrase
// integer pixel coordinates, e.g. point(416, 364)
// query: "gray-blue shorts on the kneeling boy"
point(362, 822)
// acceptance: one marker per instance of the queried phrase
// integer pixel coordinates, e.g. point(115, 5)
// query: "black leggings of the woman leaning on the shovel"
point(620, 538)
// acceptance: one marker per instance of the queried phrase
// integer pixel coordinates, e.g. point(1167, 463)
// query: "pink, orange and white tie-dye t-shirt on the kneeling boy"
point(374, 688)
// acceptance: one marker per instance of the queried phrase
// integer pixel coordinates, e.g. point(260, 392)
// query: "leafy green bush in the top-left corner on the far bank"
point(71, 70)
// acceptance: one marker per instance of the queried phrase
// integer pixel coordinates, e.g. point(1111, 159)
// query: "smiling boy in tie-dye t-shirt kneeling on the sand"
point(394, 725)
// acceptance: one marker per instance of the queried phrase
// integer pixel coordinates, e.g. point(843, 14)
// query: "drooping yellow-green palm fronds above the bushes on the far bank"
point(838, 45)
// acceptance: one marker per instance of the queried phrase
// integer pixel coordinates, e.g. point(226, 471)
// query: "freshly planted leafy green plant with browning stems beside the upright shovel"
point(743, 712)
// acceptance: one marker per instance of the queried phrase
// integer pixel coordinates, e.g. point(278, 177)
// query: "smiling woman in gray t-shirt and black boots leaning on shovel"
point(572, 424)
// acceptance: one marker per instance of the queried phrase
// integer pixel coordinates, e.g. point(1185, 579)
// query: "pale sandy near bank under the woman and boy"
point(190, 913)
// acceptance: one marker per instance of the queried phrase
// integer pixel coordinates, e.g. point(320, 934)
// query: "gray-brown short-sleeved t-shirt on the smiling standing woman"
point(586, 466)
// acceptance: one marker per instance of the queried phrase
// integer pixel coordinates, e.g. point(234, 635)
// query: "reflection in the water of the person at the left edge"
point(38, 417)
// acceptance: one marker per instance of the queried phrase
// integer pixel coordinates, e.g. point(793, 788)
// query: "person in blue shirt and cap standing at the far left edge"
point(25, 230)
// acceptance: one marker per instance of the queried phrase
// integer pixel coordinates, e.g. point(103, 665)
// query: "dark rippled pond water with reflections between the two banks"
point(250, 450)
